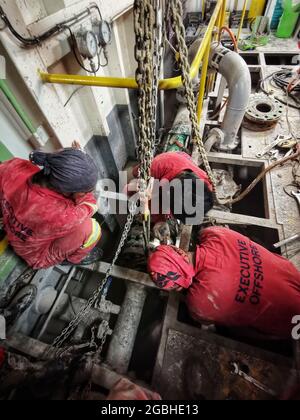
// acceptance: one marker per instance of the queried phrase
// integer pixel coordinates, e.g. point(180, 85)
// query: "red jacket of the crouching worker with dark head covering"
point(43, 226)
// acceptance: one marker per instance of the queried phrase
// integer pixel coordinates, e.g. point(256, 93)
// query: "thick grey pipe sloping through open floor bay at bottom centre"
point(124, 335)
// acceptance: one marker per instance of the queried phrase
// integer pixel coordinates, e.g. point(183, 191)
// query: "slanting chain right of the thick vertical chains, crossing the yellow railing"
point(175, 14)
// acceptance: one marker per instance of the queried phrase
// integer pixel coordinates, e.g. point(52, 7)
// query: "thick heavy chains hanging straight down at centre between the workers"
point(148, 54)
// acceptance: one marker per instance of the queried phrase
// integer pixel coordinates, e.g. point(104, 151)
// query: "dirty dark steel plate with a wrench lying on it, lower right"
point(196, 369)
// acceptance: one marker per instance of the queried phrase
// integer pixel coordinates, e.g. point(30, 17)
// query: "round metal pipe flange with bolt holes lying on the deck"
point(263, 112)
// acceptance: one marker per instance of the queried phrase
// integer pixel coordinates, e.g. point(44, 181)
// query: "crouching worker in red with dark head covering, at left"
point(47, 214)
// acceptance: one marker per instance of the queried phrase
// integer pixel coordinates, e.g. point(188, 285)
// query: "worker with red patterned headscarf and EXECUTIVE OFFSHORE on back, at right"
point(232, 281)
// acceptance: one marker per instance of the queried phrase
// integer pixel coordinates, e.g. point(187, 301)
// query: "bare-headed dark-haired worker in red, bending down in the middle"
point(178, 165)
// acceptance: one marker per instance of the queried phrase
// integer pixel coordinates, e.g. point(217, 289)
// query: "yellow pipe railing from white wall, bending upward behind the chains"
point(130, 83)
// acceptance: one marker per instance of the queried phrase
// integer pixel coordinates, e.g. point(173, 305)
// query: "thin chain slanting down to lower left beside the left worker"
point(59, 341)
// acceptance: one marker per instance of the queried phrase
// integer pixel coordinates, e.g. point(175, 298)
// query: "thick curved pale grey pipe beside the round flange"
point(235, 70)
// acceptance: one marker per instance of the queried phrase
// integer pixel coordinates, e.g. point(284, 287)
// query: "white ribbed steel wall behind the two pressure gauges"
point(85, 115)
